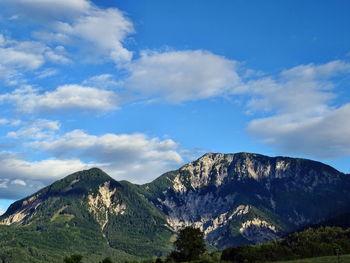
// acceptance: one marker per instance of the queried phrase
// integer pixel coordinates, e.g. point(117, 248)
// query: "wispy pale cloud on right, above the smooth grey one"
point(302, 90)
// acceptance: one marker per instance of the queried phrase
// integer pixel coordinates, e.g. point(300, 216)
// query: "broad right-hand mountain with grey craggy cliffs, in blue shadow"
point(250, 198)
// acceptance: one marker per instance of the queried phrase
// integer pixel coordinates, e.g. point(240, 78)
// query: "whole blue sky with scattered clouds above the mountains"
point(140, 87)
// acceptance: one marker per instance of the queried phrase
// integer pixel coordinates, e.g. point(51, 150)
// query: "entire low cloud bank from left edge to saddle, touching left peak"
point(133, 157)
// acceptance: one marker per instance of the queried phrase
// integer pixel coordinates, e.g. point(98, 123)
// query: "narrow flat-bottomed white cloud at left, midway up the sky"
point(64, 98)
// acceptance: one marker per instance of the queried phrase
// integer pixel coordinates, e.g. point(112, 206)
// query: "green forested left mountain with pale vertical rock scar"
point(87, 212)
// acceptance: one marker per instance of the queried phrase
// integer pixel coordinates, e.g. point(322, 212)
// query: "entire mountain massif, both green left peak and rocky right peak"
point(235, 199)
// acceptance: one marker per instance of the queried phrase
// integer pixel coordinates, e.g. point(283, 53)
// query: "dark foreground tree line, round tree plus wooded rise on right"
point(190, 246)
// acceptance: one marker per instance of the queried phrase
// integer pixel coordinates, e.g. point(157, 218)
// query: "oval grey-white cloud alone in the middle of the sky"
point(178, 76)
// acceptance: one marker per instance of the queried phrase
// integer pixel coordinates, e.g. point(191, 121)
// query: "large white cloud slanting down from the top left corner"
point(79, 25)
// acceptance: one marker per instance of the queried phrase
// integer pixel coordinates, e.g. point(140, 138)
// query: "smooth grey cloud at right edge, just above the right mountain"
point(325, 136)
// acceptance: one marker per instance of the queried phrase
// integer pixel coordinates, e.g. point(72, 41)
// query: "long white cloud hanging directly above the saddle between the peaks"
point(134, 157)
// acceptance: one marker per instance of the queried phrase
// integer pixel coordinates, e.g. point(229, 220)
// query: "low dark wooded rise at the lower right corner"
point(323, 241)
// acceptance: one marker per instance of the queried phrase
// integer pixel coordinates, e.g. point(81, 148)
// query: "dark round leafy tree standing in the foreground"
point(190, 245)
